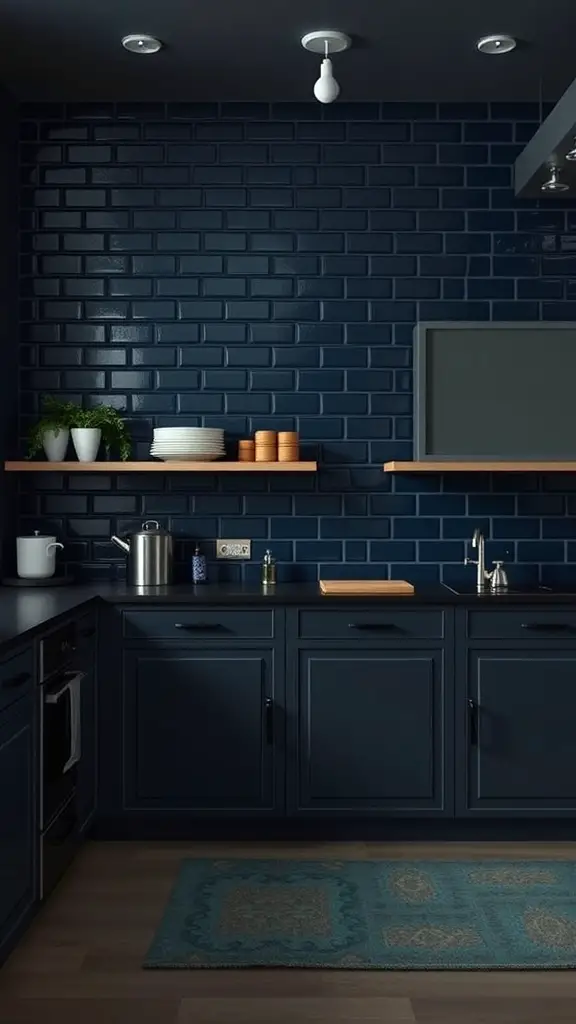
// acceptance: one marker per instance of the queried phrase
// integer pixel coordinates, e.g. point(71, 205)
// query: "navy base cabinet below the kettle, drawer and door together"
point(202, 714)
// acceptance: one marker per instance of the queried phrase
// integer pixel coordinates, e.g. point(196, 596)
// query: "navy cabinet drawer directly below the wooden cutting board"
point(333, 624)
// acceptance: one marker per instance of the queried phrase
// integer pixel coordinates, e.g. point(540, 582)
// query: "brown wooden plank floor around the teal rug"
point(80, 962)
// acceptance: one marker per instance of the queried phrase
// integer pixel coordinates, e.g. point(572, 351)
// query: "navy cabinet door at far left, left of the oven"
point(17, 817)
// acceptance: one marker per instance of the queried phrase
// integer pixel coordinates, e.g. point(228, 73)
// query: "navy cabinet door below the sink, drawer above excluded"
point(519, 717)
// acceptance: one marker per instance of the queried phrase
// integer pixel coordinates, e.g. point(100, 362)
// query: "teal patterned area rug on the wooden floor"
point(359, 915)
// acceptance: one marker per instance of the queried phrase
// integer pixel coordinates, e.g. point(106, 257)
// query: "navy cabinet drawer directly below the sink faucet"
point(530, 624)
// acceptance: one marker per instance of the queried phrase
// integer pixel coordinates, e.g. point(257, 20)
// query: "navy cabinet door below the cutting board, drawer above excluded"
point(372, 734)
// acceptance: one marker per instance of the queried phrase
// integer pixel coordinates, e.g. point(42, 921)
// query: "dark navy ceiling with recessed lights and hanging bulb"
point(251, 50)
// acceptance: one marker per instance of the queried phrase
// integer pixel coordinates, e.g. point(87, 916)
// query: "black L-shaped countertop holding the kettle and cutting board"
point(25, 612)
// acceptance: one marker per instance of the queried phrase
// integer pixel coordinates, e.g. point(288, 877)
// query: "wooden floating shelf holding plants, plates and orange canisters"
point(160, 467)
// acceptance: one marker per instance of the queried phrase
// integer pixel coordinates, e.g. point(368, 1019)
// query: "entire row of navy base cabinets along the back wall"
point(339, 710)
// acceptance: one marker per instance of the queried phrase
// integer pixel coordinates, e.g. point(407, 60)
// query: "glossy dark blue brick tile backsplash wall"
point(262, 267)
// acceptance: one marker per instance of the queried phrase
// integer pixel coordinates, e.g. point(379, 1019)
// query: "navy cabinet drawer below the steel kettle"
point(188, 625)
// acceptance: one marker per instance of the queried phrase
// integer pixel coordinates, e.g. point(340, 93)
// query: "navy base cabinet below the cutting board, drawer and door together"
point(371, 711)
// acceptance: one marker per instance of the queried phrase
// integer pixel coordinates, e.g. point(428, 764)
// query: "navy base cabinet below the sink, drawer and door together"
point(516, 713)
